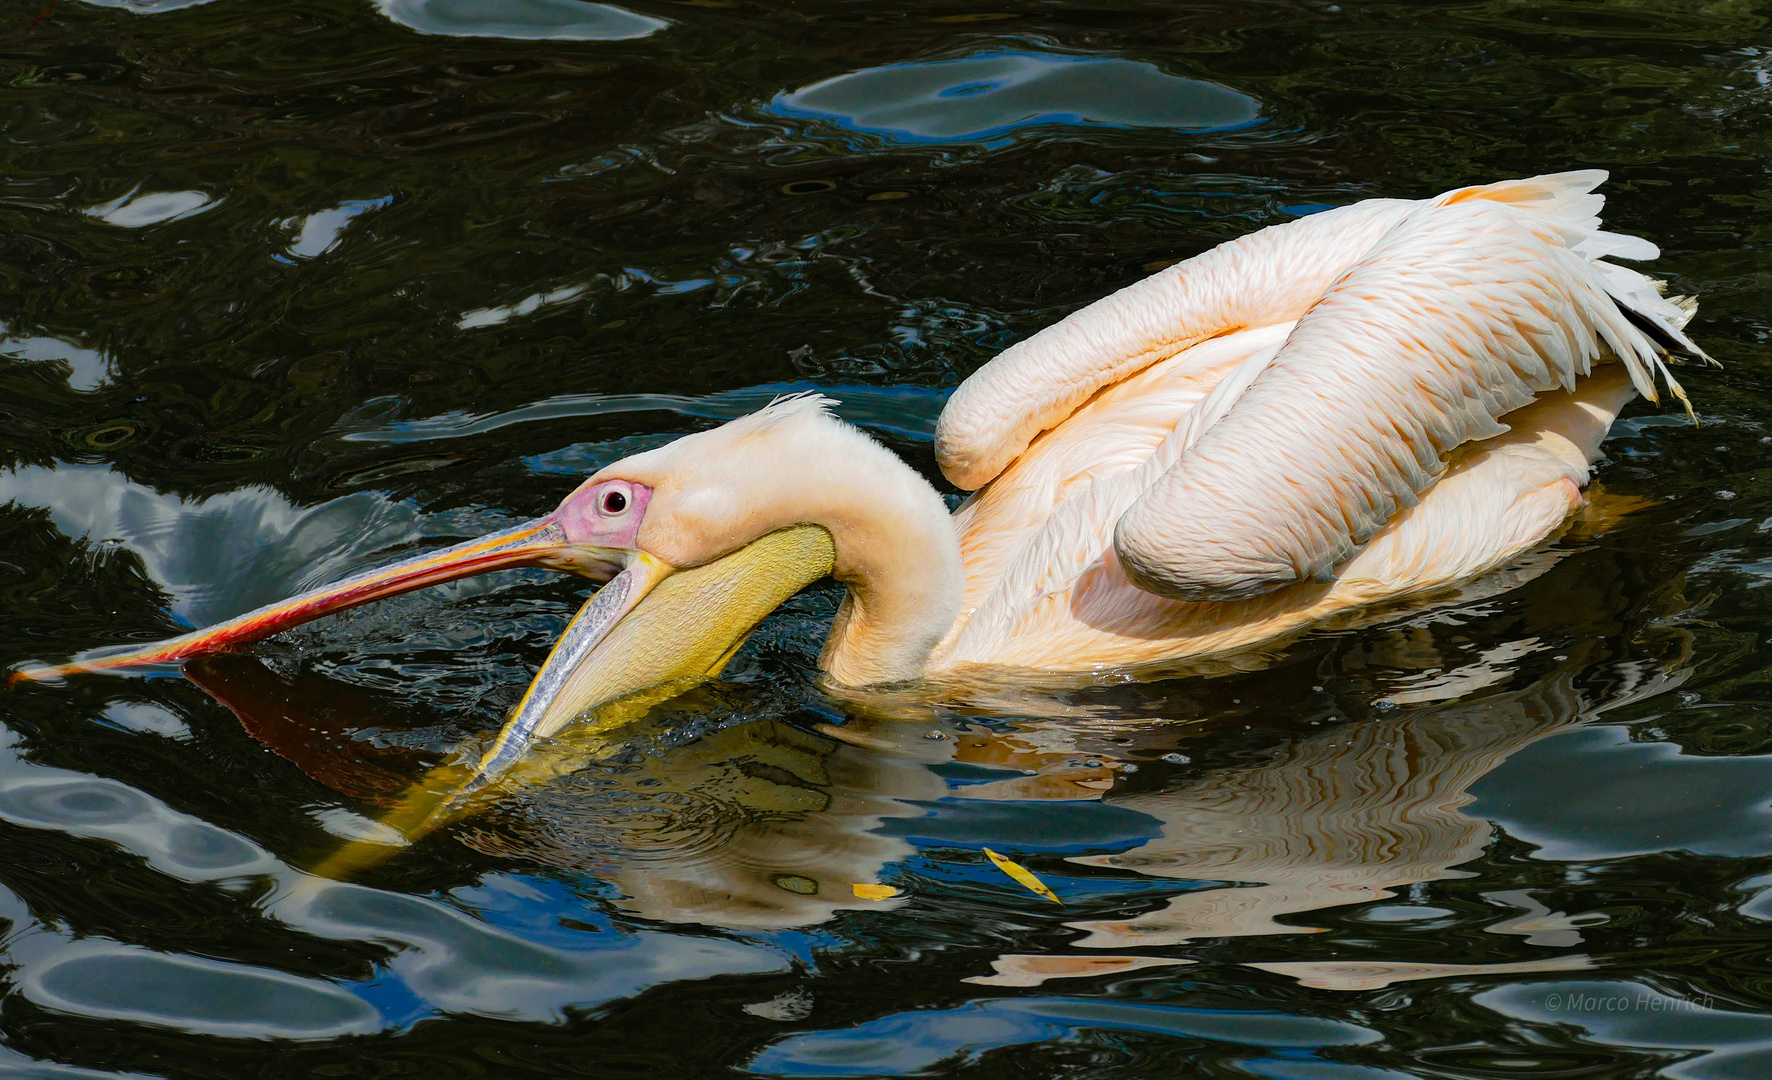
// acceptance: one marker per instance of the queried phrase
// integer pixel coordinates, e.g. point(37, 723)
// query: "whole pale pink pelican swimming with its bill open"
point(1371, 403)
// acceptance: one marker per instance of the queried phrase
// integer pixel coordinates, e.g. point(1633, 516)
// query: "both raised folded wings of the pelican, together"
point(1418, 327)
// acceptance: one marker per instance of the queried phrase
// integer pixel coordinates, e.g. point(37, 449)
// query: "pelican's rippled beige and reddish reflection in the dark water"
point(766, 826)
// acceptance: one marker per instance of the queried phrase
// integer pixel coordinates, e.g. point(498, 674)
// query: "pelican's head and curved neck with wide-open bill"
point(699, 542)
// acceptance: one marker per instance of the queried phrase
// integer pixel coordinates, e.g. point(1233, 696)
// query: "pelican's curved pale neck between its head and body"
point(899, 556)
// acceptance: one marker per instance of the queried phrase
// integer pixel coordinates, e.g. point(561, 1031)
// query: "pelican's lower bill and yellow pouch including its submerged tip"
point(642, 639)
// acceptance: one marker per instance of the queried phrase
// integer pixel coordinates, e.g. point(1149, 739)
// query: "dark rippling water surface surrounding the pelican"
point(290, 288)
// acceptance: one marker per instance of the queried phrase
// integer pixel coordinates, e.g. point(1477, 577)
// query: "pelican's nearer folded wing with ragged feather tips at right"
point(1465, 311)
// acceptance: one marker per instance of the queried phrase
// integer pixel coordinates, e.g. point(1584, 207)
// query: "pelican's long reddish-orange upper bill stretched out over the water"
point(540, 544)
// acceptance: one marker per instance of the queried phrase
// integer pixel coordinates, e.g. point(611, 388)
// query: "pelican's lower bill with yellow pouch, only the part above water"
point(655, 632)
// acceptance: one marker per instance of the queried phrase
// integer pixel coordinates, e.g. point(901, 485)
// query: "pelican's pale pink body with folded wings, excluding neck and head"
point(1280, 466)
